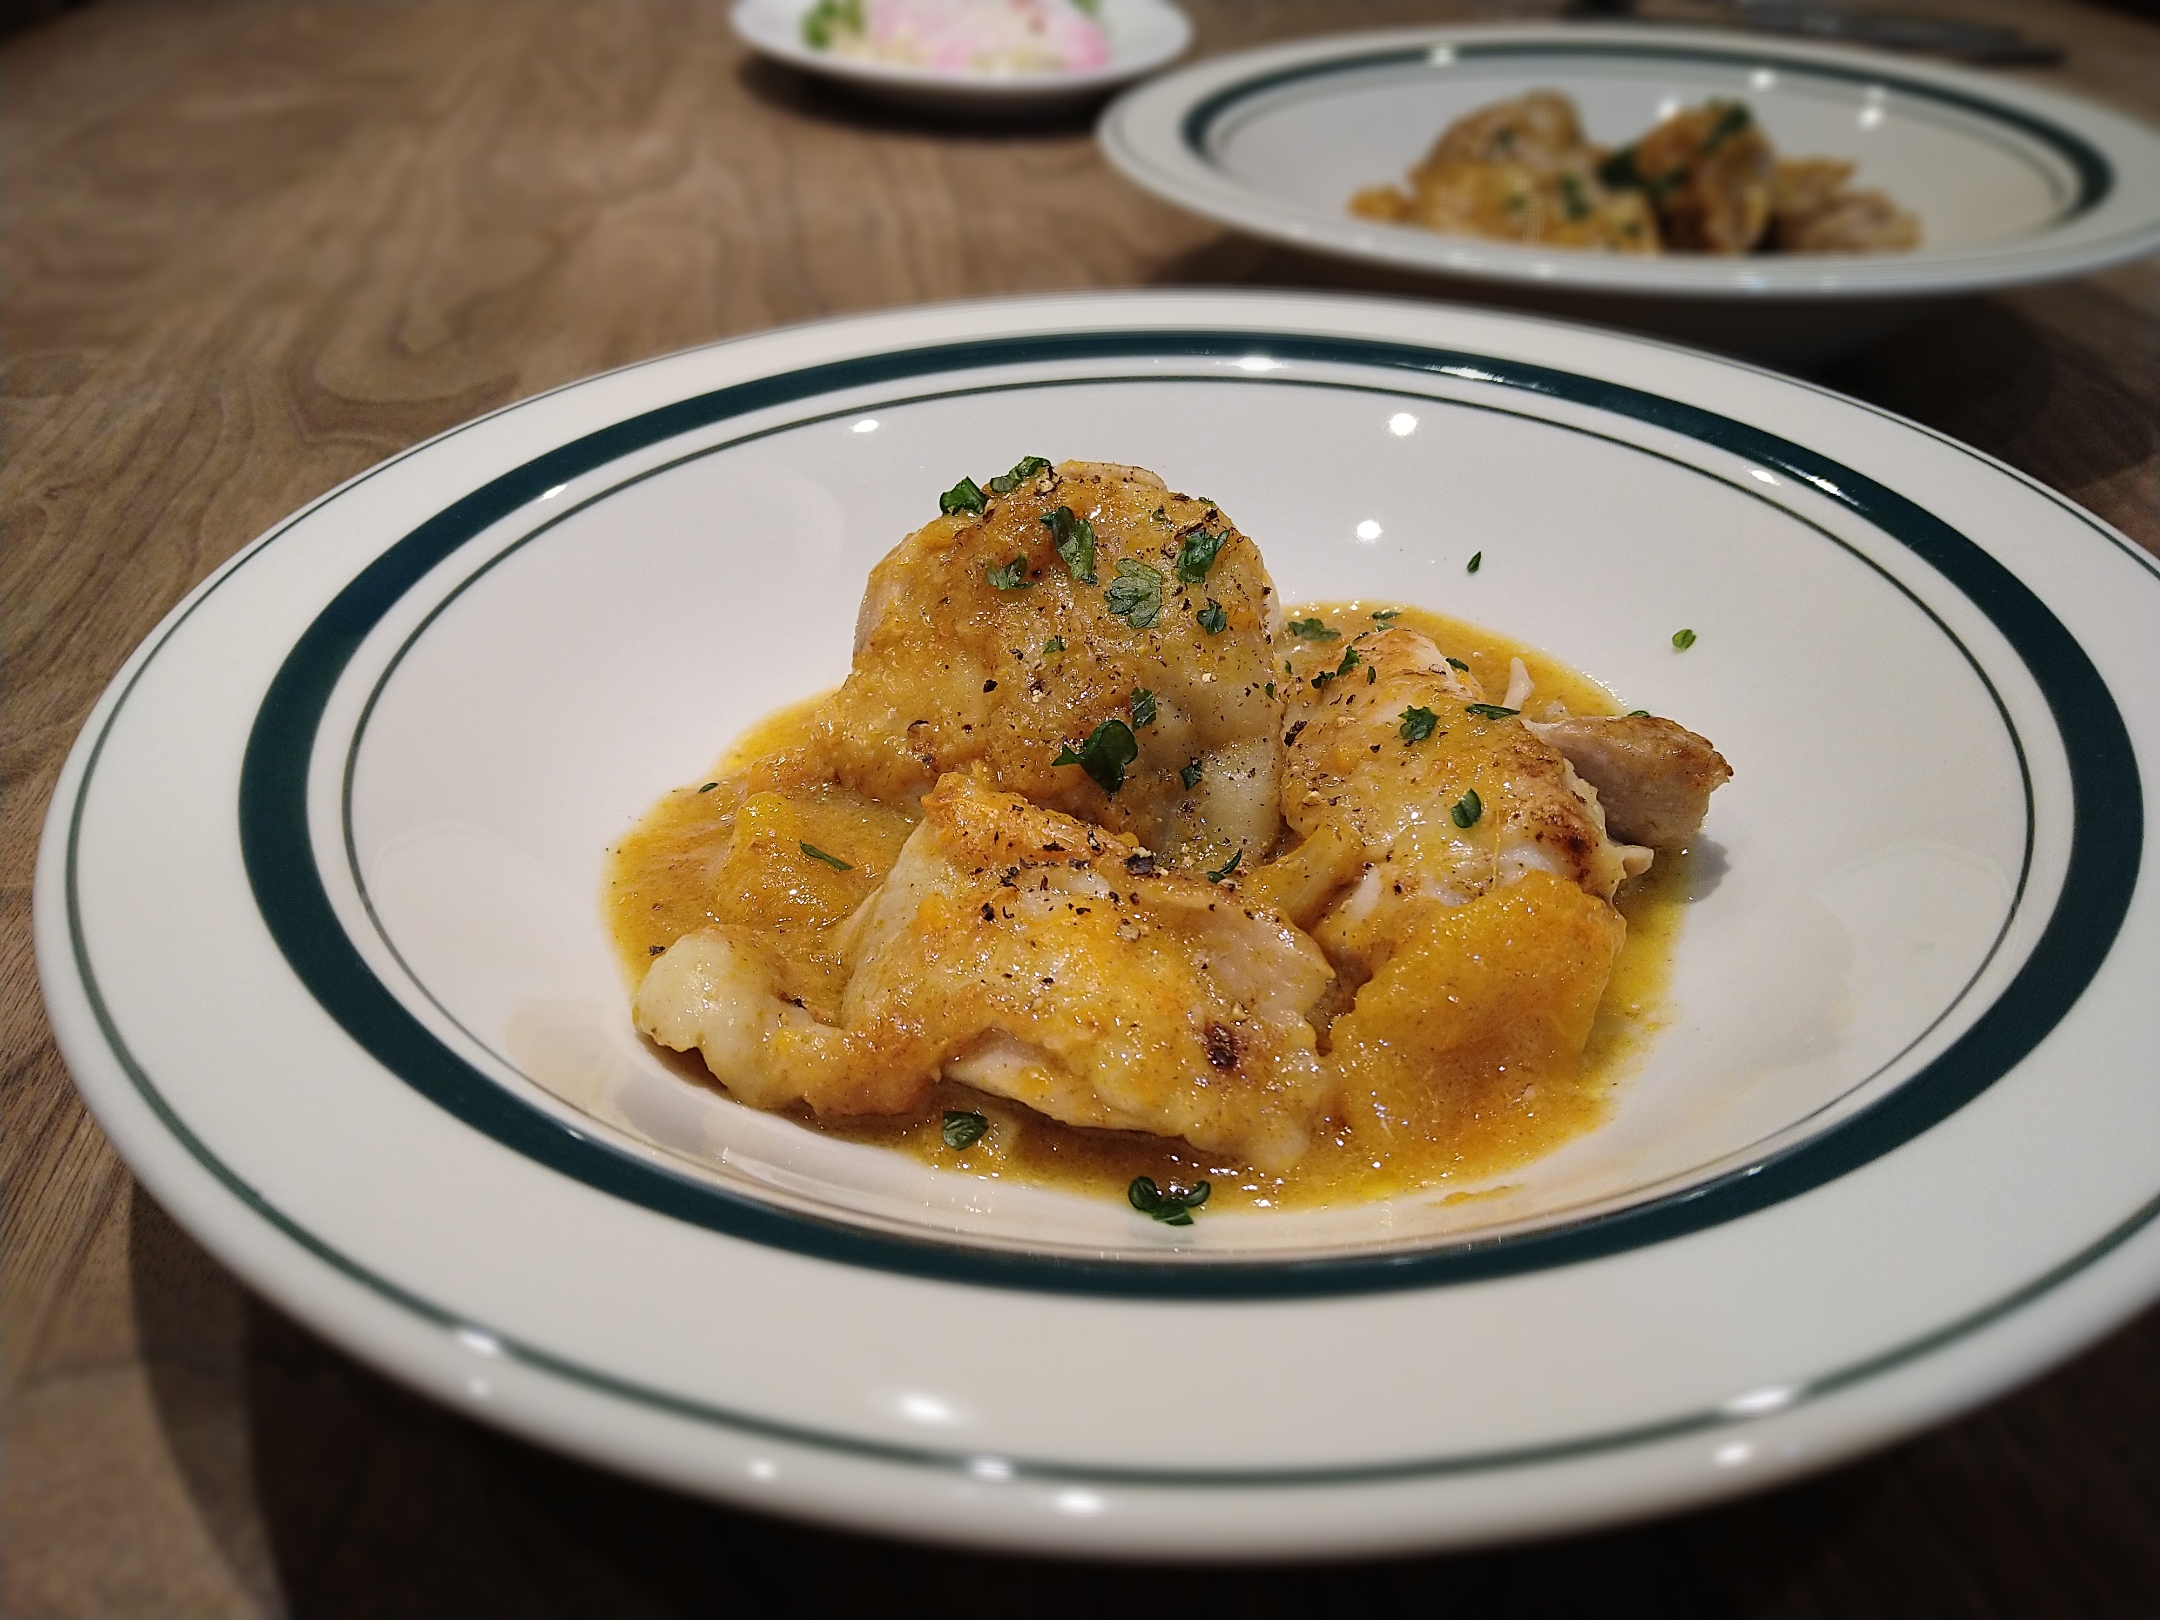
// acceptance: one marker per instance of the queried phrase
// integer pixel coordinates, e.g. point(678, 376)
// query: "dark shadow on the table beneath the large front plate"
point(338, 1494)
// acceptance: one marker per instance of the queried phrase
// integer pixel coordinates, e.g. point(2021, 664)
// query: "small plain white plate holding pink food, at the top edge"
point(1142, 36)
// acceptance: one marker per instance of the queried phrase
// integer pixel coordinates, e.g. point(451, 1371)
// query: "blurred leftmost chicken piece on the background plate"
point(1517, 172)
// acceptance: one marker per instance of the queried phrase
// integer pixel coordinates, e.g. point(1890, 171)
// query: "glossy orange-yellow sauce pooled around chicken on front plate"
point(662, 887)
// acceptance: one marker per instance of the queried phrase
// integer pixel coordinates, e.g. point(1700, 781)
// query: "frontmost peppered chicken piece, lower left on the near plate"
point(1038, 958)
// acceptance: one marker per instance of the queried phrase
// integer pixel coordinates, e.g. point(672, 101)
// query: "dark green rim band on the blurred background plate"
point(2096, 176)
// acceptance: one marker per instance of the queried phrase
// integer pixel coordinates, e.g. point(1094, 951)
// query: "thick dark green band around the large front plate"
point(2107, 839)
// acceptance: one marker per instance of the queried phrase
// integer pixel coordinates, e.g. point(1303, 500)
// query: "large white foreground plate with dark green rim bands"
point(321, 932)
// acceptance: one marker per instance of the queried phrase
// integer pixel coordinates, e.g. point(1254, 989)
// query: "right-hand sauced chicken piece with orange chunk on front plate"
point(1455, 872)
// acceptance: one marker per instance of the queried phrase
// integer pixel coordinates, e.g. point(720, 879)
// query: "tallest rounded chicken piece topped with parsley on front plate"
point(1098, 643)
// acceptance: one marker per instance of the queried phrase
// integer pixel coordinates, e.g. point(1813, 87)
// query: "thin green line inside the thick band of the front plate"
point(1094, 379)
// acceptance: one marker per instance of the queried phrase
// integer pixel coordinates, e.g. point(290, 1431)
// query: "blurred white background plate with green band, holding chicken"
point(2012, 183)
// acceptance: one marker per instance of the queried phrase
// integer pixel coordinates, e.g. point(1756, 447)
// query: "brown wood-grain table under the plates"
point(256, 247)
